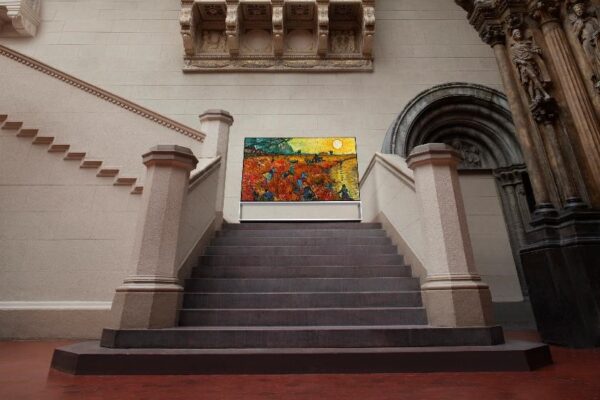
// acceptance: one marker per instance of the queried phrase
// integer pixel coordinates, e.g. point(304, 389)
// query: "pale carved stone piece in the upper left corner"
point(19, 17)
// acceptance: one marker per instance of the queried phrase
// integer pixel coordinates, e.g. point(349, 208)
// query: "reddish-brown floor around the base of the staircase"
point(24, 374)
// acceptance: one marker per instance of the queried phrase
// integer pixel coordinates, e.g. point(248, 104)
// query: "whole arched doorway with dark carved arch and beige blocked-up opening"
point(476, 121)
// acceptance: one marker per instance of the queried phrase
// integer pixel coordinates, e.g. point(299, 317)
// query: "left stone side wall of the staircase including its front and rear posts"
point(178, 215)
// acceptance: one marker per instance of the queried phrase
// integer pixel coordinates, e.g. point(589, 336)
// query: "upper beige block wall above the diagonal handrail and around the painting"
point(134, 48)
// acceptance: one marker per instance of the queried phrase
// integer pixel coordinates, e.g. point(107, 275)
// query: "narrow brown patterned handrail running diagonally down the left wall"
point(102, 94)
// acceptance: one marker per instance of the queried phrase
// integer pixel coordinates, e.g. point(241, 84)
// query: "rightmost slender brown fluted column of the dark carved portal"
point(586, 139)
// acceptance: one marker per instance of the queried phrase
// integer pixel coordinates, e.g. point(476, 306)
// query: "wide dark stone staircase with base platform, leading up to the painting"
point(300, 298)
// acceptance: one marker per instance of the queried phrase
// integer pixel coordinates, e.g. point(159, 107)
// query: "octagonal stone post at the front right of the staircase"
point(453, 293)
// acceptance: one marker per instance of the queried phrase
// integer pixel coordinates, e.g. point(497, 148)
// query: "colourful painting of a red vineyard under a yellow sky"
point(300, 169)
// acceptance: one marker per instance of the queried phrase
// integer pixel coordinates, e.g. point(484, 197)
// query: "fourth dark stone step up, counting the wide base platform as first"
point(302, 300)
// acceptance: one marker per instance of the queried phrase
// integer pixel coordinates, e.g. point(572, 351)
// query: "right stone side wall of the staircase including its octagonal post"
point(424, 209)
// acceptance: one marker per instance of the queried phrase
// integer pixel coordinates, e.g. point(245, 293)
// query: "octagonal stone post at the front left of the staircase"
point(150, 297)
